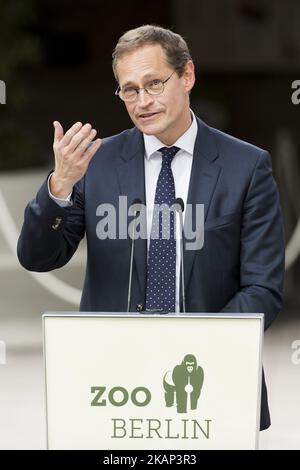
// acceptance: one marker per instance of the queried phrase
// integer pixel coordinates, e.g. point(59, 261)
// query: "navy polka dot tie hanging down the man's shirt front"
point(161, 271)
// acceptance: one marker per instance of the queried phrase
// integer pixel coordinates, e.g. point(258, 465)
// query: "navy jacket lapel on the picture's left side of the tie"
point(131, 177)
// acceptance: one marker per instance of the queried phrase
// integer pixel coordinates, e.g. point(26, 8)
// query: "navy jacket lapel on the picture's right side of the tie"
point(204, 176)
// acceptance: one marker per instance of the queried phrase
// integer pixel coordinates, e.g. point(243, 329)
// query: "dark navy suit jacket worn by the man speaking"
point(240, 267)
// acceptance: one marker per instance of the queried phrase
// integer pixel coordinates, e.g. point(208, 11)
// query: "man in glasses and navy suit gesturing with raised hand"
point(169, 153)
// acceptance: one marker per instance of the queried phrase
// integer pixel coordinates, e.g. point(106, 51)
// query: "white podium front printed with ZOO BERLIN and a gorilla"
point(133, 381)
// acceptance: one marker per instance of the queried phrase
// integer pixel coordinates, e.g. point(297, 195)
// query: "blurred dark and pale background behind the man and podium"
point(55, 59)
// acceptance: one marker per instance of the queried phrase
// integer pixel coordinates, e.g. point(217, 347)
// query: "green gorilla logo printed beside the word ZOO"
point(187, 380)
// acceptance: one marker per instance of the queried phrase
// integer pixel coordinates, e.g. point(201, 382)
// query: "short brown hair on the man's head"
point(175, 47)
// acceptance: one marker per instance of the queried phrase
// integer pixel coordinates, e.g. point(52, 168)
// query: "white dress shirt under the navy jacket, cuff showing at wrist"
point(181, 168)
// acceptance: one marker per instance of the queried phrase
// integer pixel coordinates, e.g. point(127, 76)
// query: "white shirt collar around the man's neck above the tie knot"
point(186, 142)
